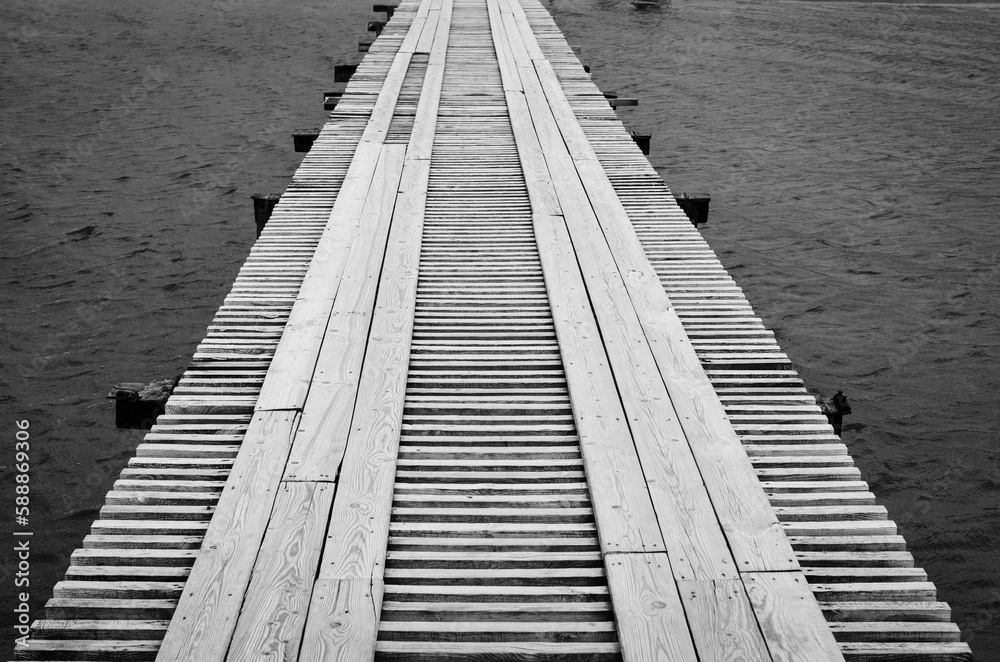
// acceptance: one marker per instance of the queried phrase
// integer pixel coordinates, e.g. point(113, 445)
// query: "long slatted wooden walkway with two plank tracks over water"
point(481, 392)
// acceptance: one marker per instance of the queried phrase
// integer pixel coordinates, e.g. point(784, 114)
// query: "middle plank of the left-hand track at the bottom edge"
point(272, 617)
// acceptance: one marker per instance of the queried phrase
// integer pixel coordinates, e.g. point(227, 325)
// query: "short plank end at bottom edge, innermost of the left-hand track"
point(343, 620)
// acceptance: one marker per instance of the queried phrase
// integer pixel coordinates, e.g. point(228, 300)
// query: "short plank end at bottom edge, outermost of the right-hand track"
point(790, 618)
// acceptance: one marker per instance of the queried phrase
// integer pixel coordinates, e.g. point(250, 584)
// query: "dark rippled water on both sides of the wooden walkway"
point(852, 152)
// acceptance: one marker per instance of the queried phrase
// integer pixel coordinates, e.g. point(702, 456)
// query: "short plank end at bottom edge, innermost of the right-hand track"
point(648, 610)
